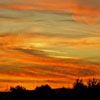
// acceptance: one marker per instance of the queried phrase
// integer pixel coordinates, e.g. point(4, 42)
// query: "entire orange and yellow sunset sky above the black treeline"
point(48, 42)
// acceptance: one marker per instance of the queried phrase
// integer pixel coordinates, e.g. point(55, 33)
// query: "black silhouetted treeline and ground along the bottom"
point(80, 91)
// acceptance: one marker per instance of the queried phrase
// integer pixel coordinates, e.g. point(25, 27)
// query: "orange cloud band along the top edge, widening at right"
point(84, 11)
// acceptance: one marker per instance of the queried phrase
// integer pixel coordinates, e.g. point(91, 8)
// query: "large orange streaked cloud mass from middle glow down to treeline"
point(27, 69)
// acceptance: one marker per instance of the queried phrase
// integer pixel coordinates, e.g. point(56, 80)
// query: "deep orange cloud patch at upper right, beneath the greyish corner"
point(86, 14)
